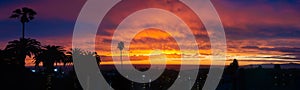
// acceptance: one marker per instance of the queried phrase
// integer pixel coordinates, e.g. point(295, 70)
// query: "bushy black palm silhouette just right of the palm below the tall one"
point(50, 55)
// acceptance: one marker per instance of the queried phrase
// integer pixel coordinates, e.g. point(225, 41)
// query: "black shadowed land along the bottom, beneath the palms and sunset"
point(21, 78)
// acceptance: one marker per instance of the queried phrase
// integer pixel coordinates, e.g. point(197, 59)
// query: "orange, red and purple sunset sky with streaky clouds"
point(257, 31)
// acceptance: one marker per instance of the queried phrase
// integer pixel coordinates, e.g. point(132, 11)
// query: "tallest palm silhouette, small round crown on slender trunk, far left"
point(25, 15)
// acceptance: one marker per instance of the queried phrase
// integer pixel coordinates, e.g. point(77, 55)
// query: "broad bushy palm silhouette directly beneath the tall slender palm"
point(22, 48)
